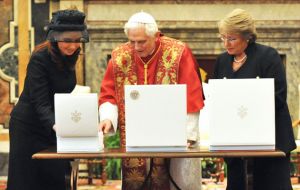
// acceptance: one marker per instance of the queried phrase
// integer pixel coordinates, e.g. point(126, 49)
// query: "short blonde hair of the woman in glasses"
point(241, 22)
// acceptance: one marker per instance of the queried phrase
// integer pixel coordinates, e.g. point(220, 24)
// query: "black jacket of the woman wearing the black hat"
point(36, 103)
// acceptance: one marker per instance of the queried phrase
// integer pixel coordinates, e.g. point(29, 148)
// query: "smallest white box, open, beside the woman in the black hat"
point(76, 119)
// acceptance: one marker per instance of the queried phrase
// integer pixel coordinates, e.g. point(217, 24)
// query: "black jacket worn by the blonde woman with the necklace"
point(264, 62)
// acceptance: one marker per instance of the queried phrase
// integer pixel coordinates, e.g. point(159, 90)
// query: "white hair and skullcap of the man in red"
point(142, 20)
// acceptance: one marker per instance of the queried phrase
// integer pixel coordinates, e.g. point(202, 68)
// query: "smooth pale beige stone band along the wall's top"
point(191, 12)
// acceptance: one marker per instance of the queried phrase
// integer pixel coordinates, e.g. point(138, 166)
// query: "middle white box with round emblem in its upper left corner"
point(155, 117)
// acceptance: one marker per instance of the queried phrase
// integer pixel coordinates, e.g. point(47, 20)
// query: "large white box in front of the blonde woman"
point(242, 114)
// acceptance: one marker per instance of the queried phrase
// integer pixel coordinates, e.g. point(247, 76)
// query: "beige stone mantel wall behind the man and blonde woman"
point(278, 26)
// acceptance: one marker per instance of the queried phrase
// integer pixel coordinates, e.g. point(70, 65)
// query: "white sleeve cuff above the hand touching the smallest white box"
point(109, 111)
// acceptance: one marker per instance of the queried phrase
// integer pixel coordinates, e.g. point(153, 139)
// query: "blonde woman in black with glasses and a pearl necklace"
point(244, 58)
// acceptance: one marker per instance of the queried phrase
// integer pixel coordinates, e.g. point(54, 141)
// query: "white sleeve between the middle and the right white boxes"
point(192, 126)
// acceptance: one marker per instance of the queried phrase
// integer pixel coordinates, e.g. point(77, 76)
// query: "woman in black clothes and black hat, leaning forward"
point(51, 70)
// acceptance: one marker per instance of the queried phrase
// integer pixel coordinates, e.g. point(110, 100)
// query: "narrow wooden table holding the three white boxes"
point(51, 153)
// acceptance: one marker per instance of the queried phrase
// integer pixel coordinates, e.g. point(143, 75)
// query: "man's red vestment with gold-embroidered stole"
point(172, 62)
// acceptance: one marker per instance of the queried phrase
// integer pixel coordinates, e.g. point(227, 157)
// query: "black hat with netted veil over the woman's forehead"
point(67, 26)
